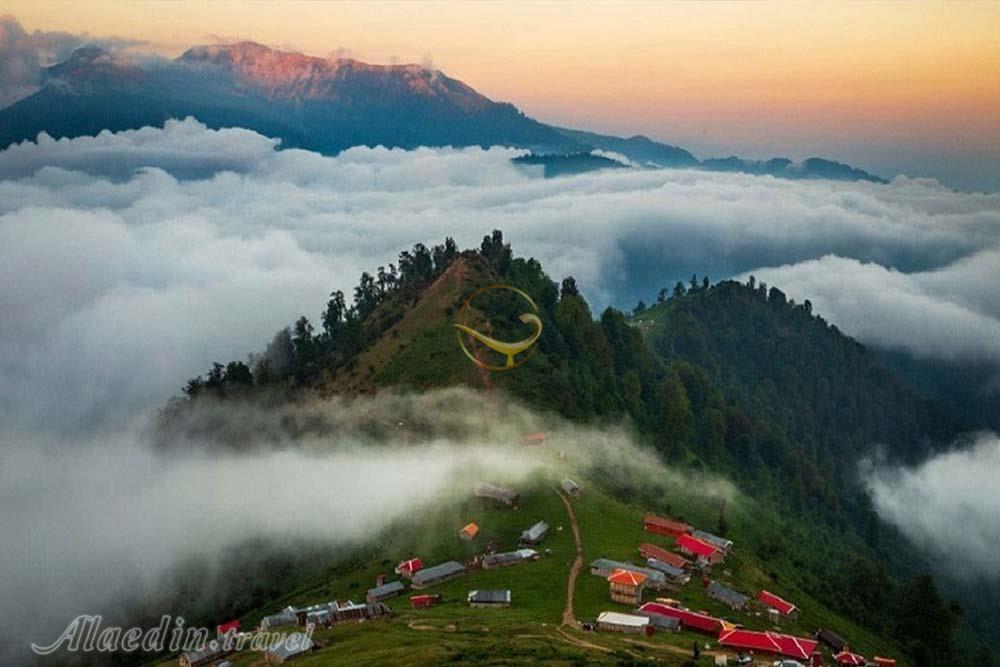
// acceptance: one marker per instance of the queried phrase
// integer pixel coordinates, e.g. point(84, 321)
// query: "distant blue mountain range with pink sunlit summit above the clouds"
point(327, 105)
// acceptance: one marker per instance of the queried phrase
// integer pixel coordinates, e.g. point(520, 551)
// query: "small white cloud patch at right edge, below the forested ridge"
point(948, 504)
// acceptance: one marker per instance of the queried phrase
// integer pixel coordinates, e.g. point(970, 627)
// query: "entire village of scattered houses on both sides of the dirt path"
point(642, 598)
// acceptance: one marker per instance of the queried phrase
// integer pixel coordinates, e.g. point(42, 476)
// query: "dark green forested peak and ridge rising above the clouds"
point(733, 378)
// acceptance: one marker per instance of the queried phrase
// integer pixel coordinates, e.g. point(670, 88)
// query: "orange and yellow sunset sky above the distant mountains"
point(892, 87)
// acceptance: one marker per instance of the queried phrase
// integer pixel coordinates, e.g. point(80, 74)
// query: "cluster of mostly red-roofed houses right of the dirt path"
point(672, 569)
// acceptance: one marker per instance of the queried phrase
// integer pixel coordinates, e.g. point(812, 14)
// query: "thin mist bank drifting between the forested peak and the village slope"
point(88, 523)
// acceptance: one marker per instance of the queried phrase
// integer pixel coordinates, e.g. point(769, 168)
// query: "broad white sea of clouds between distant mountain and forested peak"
point(130, 261)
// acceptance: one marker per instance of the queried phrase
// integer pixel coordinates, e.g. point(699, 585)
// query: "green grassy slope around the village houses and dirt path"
point(531, 631)
